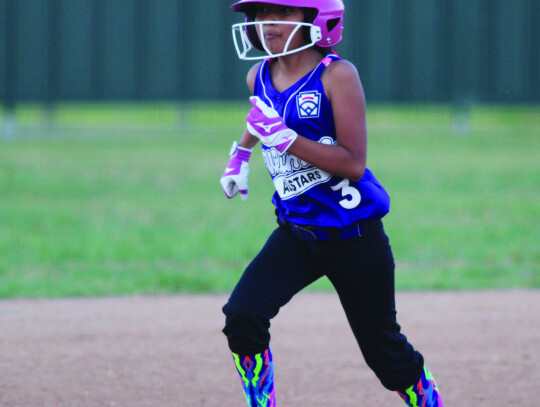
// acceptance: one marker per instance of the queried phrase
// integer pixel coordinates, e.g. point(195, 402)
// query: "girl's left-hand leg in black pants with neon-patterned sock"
point(280, 270)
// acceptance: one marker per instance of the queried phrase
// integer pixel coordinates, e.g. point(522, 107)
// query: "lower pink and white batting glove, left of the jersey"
point(234, 179)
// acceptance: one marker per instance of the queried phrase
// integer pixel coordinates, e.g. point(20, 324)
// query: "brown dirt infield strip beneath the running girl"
point(483, 347)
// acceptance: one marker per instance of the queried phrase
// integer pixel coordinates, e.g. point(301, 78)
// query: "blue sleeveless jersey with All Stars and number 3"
point(306, 195)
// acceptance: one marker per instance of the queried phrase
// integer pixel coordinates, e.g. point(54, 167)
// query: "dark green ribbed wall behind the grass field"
point(405, 50)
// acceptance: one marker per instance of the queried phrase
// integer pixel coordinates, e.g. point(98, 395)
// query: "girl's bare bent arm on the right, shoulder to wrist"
point(347, 159)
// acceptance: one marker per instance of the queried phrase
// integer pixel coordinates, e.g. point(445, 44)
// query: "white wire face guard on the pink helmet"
point(243, 45)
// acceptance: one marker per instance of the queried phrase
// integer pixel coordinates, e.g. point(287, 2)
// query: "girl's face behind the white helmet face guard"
point(276, 35)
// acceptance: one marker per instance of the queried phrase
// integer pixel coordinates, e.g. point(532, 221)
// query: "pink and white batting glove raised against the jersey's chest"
point(265, 123)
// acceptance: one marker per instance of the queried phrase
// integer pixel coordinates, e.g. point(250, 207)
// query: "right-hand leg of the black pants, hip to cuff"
point(363, 275)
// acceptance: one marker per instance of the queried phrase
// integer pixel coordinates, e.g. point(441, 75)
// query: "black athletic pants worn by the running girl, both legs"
point(362, 272)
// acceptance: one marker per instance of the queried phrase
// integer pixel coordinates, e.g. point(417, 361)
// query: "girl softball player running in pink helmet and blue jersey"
point(309, 114)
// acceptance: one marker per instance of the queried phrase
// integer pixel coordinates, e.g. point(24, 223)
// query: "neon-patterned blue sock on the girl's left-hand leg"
point(257, 374)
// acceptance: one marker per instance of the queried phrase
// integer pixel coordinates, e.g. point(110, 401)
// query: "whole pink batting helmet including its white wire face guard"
point(323, 26)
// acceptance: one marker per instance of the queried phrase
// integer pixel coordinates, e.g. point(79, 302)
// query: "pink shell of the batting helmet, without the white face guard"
point(329, 16)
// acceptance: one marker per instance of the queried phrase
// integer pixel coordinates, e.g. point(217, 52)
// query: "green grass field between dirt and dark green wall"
point(123, 199)
